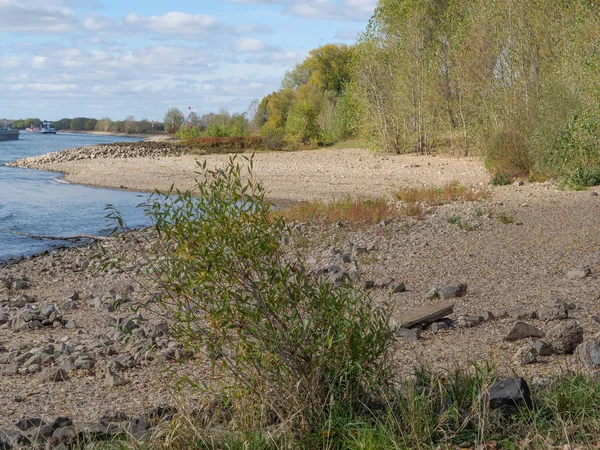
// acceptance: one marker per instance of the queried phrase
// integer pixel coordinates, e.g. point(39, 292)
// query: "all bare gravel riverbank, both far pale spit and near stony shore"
point(513, 250)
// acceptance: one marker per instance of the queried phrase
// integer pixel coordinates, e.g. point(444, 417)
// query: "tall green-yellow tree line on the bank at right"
point(514, 80)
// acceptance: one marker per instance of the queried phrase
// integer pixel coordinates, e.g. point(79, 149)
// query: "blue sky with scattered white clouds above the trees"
point(109, 58)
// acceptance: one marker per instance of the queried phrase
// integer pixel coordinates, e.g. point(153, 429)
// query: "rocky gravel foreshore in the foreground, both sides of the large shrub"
point(72, 345)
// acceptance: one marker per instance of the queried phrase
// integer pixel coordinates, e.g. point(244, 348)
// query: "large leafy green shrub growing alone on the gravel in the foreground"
point(292, 345)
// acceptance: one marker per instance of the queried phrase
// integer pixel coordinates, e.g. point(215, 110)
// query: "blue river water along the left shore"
point(37, 202)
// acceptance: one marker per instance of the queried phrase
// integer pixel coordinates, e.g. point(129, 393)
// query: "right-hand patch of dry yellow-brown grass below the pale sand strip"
point(432, 196)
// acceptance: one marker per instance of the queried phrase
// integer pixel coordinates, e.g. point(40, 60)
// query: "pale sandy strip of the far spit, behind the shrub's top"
point(288, 176)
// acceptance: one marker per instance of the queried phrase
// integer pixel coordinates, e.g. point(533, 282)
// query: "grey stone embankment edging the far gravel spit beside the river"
point(116, 150)
